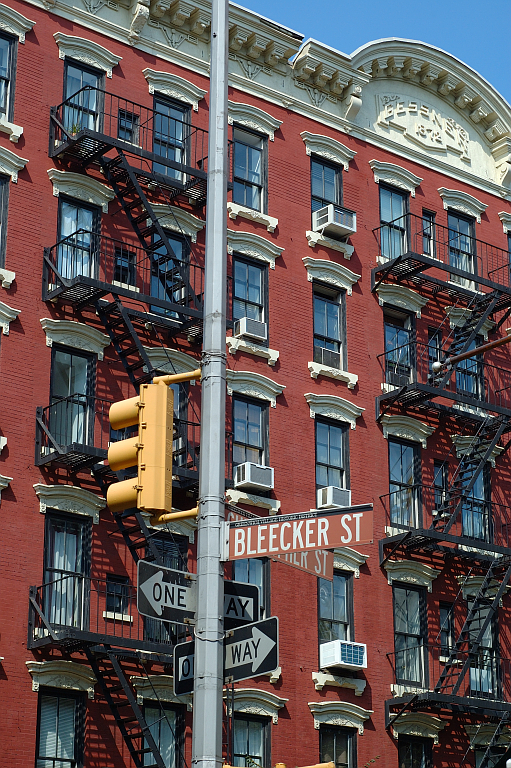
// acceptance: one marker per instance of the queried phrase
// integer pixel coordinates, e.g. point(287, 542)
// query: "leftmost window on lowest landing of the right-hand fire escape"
point(409, 634)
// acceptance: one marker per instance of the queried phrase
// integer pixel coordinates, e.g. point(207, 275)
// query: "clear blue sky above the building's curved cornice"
point(476, 32)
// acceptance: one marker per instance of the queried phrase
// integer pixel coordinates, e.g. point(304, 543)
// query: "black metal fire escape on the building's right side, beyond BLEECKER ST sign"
point(464, 677)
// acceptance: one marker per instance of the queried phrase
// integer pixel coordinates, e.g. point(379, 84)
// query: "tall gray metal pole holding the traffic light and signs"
point(208, 681)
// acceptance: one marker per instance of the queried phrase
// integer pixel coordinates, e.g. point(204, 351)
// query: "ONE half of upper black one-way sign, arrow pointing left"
point(166, 594)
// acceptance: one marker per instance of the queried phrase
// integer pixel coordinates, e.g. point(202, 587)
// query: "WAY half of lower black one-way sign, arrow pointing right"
point(251, 650)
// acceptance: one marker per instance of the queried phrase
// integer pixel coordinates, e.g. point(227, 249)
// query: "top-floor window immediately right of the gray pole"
point(249, 169)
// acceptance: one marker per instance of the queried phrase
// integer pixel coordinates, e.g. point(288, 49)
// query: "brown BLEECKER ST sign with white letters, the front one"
point(317, 529)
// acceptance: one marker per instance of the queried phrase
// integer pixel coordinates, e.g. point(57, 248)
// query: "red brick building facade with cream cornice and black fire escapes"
point(368, 219)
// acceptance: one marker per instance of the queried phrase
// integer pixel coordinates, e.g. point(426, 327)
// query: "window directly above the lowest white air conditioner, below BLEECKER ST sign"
point(335, 608)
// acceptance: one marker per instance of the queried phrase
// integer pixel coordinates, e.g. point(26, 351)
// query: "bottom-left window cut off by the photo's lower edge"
point(60, 731)
